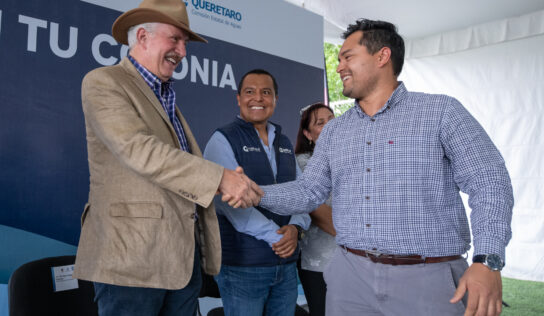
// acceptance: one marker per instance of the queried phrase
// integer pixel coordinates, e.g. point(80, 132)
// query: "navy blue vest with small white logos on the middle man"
point(239, 249)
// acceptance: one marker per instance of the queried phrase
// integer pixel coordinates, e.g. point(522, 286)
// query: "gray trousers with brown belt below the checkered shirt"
point(357, 286)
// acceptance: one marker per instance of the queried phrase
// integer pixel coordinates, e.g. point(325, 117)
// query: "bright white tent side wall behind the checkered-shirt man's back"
point(497, 71)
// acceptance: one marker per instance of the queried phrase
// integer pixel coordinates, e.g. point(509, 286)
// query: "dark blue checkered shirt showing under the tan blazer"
point(167, 97)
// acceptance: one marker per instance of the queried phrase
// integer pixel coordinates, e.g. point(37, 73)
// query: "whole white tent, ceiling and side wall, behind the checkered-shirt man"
point(489, 55)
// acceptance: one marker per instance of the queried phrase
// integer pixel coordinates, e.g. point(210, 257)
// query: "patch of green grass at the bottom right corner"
point(526, 298)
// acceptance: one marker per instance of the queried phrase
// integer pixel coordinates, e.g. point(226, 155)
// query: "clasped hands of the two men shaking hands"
point(238, 190)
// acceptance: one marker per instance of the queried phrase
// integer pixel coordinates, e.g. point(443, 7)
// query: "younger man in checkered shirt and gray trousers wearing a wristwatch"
point(395, 164)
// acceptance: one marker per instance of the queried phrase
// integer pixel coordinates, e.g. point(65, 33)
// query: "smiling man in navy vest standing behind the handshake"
point(259, 248)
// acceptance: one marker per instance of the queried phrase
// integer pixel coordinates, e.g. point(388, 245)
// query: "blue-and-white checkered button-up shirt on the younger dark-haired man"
point(395, 179)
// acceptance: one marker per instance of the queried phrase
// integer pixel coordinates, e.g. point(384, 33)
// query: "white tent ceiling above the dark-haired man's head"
point(415, 18)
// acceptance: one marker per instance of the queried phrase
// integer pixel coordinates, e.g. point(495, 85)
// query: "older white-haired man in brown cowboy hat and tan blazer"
point(150, 222)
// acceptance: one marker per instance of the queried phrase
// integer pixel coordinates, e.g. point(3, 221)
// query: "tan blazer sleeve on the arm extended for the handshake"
point(111, 114)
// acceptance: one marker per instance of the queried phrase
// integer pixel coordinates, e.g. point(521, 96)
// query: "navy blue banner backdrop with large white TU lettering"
point(46, 47)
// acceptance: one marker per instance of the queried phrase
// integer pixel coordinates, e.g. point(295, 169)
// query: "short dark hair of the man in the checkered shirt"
point(379, 34)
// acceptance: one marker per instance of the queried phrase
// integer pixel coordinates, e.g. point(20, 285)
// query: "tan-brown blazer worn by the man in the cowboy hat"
point(138, 227)
